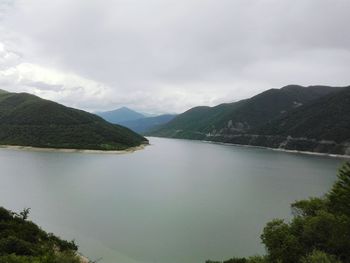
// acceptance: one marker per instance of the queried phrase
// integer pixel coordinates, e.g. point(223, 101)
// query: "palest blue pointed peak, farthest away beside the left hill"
point(120, 115)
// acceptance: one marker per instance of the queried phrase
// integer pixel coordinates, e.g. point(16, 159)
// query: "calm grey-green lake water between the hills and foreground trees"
point(174, 202)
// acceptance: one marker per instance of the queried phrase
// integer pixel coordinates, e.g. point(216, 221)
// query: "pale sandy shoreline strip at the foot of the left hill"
point(64, 150)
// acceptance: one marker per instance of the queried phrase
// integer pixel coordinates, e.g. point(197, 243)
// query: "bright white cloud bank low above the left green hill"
point(68, 88)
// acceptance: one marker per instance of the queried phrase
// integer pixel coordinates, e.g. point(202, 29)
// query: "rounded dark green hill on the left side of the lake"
point(28, 120)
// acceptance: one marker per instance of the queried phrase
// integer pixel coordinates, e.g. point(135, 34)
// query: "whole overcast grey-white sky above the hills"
point(169, 55)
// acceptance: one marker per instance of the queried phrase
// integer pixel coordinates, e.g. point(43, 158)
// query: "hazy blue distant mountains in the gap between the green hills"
point(136, 121)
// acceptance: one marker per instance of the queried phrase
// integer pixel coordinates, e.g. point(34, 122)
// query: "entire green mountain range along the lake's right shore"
point(315, 118)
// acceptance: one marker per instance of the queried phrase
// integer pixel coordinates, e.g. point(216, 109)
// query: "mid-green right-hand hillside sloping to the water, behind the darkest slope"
point(243, 116)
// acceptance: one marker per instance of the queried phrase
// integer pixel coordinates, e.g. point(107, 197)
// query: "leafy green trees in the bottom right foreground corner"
point(318, 233)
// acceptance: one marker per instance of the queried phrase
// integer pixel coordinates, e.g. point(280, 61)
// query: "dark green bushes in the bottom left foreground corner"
point(22, 241)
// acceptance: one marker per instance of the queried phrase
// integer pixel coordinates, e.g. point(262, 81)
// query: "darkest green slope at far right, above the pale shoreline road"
point(327, 118)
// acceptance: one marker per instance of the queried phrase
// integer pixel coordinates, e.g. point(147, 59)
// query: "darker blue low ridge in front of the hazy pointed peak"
point(146, 124)
